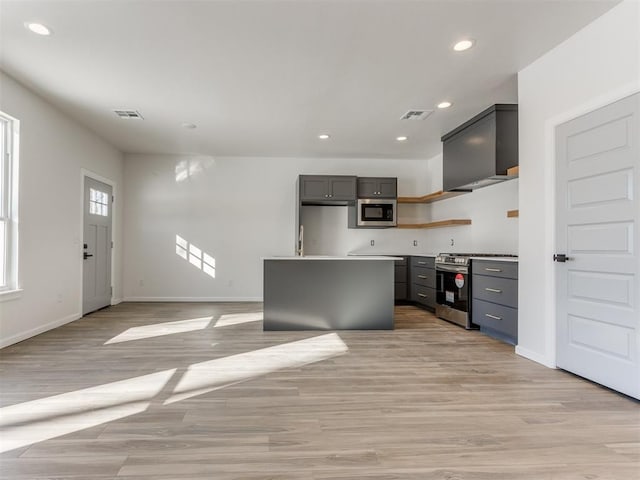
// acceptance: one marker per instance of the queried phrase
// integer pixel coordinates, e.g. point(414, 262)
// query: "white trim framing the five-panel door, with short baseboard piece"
point(548, 357)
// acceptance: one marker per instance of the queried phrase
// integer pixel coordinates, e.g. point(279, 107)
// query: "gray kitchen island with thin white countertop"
point(328, 293)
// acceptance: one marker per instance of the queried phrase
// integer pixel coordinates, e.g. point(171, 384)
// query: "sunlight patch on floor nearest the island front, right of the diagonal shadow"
point(212, 375)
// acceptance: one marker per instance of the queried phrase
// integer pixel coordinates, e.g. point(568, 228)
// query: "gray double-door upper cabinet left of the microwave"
point(327, 190)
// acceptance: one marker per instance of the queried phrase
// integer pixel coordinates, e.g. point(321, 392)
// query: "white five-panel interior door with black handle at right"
point(598, 213)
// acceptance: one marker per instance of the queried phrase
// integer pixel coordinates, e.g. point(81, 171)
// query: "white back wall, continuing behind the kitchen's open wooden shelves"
point(238, 210)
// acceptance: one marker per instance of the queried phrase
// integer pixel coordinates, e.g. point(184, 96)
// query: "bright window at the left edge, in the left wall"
point(8, 203)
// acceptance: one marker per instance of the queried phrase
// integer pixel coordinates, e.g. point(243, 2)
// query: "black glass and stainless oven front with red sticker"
point(452, 294)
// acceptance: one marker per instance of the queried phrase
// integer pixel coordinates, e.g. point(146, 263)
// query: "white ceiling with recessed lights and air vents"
point(264, 78)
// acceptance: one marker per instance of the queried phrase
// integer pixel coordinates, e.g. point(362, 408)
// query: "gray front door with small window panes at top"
point(96, 270)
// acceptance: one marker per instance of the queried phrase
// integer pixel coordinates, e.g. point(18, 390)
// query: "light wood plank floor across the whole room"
point(199, 391)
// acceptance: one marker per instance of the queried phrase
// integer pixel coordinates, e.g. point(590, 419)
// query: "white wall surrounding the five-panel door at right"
point(598, 65)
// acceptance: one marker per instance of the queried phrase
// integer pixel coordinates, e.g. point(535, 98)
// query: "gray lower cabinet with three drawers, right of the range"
point(495, 299)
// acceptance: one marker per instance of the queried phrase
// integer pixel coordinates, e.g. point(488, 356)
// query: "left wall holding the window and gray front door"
point(53, 151)
